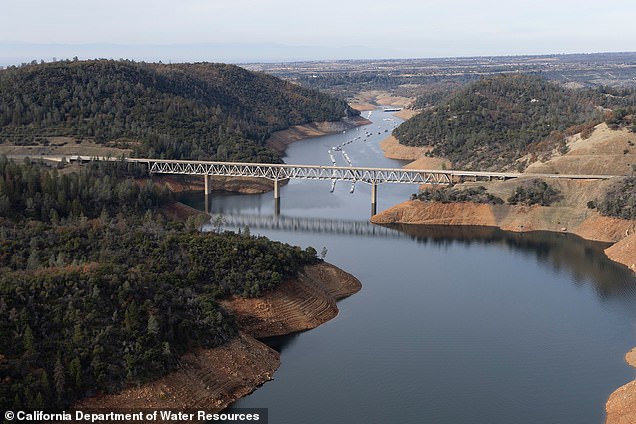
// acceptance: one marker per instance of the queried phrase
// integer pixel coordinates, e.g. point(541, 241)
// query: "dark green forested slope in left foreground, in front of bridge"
point(98, 290)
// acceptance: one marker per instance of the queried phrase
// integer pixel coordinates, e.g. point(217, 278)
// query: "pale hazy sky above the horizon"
point(256, 29)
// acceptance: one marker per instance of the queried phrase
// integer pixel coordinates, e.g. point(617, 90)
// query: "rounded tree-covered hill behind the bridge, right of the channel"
point(492, 122)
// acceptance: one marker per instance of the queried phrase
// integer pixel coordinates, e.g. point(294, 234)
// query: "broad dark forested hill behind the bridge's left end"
point(193, 111)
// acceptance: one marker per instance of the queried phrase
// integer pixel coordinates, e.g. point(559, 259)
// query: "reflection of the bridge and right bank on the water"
point(583, 260)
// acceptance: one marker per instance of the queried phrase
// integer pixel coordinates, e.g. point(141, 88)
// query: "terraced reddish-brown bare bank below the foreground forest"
point(211, 379)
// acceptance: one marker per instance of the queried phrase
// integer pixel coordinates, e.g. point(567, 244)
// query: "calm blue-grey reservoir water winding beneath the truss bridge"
point(452, 325)
